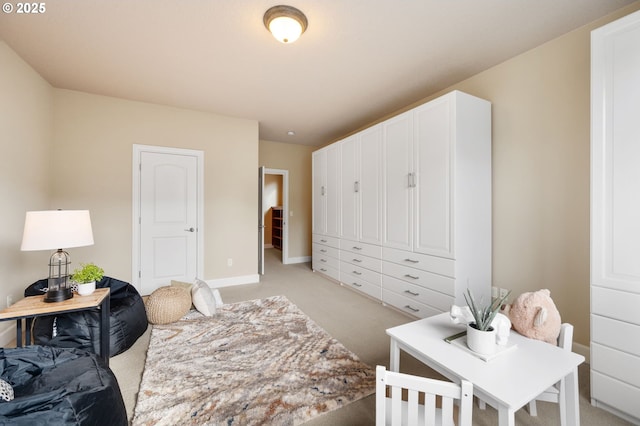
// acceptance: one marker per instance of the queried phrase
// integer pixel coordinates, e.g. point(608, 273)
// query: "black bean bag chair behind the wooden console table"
point(128, 320)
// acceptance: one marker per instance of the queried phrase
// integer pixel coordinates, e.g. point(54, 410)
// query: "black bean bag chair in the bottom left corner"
point(58, 386)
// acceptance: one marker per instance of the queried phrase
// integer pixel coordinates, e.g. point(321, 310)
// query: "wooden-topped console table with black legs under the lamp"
point(35, 306)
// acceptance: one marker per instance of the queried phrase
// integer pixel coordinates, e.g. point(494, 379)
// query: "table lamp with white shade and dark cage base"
point(54, 230)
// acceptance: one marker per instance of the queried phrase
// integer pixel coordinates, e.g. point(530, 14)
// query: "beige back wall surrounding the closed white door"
point(93, 139)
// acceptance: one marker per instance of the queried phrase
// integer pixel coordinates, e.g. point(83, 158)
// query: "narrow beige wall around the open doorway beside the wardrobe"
point(297, 160)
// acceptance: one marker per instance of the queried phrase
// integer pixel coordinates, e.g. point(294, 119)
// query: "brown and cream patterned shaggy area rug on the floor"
point(253, 363)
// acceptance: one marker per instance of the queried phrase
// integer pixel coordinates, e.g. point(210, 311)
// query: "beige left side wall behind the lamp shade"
point(25, 144)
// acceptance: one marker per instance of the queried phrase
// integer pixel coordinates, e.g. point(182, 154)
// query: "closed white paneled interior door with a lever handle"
point(169, 243)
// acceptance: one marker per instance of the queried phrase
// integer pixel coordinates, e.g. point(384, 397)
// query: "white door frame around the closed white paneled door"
point(135, 217)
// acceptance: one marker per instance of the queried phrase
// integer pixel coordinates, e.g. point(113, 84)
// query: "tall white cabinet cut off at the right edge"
point(615, 217)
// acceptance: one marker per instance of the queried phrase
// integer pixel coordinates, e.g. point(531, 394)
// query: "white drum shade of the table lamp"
point(56, 229)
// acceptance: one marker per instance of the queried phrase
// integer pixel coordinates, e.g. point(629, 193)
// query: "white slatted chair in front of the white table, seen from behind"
point(394, 411)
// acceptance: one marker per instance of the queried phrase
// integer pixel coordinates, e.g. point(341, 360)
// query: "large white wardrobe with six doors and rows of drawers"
point(402, 210)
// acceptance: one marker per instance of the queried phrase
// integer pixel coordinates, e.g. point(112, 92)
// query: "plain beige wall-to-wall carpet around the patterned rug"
point(359, 324)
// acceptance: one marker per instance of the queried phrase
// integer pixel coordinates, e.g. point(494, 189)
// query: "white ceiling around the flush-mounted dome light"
point(358, 60)
